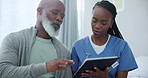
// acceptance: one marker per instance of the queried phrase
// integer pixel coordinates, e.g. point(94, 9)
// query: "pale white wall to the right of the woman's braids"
point(133, 23)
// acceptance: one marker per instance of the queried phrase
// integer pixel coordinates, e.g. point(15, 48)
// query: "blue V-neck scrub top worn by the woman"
point(114, 47)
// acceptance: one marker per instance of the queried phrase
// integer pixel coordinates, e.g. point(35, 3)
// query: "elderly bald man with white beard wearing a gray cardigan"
point(35, 52)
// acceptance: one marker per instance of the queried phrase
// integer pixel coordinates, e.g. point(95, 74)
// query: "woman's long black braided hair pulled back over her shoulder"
point(112, 9)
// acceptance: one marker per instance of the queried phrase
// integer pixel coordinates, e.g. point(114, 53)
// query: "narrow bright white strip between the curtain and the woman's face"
point(85, 26)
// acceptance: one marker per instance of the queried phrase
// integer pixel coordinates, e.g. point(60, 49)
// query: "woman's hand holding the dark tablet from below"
point(97, 73)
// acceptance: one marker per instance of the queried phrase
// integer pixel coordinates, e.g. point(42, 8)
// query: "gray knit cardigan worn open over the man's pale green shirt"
point(15, 55)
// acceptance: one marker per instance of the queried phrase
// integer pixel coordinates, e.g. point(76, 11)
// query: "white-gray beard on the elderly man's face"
point(47, 25)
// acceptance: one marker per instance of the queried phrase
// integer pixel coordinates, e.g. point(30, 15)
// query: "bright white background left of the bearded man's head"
point(16, 15)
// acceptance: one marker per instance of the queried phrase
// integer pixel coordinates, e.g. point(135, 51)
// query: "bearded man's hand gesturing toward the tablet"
point(58, 64)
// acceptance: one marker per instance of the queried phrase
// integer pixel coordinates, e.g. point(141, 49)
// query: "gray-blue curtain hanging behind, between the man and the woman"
point(69, 29)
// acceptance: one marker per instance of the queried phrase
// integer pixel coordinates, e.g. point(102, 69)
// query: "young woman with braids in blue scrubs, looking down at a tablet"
point(105, 41)
